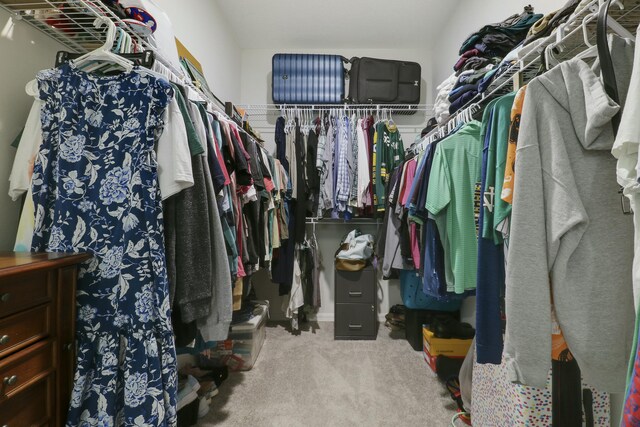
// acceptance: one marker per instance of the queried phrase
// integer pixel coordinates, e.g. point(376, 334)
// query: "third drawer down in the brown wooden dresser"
point(22, 369)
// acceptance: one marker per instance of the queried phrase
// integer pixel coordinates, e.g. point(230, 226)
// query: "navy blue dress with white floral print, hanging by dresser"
point(95, 190)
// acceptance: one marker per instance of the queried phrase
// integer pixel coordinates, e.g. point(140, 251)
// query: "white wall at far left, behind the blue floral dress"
point(25, 51)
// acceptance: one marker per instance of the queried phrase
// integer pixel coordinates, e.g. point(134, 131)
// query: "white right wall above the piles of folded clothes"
point(470, 16)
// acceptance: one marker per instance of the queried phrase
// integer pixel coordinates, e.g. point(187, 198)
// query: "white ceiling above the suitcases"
point(374, 24)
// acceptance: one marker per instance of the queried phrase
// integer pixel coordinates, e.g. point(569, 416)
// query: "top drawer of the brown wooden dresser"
point(24, 291)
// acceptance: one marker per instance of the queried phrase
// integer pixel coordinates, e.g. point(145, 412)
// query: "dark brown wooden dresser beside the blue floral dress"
point(37, 336)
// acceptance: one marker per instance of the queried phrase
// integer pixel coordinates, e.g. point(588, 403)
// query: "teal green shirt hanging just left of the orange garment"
point(496, 210)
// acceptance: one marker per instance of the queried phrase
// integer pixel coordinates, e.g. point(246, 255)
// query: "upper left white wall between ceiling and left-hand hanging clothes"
point(200, 26)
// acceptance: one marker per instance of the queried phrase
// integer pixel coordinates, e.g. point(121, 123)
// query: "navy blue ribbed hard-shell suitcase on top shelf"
point(308, 79)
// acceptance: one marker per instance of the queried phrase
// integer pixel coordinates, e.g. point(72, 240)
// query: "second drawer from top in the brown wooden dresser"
point(22, 329)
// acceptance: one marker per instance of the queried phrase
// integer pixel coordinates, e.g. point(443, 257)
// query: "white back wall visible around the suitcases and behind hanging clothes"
point(256, 89)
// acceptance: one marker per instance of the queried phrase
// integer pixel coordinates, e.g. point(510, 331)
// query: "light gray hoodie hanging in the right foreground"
point(567, 226)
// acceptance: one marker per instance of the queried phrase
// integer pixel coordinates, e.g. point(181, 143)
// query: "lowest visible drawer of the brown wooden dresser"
point(31, 407)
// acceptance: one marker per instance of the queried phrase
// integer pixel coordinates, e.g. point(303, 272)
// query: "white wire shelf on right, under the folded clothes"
point(571, 38)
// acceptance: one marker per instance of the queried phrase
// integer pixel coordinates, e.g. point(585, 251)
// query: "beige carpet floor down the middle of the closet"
point(311, 380)
